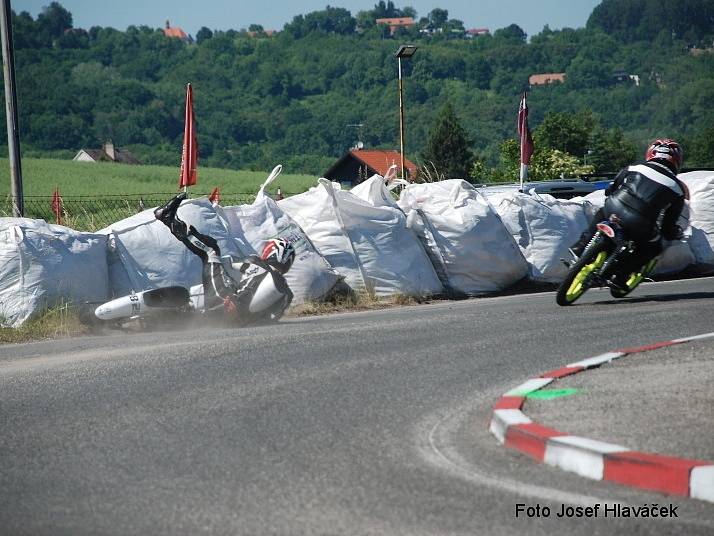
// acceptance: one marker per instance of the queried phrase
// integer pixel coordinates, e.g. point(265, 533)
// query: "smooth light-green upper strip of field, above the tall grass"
point(40, 177)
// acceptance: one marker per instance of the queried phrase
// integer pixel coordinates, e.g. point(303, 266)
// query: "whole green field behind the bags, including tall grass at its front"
point(95, 195)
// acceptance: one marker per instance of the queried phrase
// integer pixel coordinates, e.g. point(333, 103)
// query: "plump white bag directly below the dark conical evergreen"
point(471, 249)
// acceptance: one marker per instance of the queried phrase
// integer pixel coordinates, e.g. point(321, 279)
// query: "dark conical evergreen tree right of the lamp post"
point(447, 148)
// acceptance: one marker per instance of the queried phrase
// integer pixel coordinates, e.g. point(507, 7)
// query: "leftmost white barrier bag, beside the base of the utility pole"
point(44, 265)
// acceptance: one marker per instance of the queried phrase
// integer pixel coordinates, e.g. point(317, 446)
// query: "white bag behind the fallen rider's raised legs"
point(151, 257)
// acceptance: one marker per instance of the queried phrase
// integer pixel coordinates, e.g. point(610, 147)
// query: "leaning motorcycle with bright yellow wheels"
point(599, 263)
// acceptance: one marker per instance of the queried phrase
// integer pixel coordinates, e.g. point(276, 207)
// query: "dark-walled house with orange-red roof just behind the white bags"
point(357, 165)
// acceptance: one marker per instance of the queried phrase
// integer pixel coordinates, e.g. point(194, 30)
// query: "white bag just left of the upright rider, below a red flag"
point(544, 227)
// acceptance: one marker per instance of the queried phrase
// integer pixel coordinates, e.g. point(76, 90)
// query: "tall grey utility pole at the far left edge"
point(13, 132)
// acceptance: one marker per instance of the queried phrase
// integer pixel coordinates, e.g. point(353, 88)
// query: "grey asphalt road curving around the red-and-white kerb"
point(360, 423)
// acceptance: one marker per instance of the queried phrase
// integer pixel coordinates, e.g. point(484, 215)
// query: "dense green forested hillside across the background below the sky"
point(305, 95)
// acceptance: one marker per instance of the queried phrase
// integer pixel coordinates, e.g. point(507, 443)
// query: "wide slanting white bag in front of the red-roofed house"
point(370, 245)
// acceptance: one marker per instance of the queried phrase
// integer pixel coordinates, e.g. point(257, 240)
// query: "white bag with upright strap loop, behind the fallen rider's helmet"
point(310, 277)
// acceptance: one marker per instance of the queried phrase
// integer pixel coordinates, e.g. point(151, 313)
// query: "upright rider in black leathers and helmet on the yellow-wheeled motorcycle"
point(647, 199)
